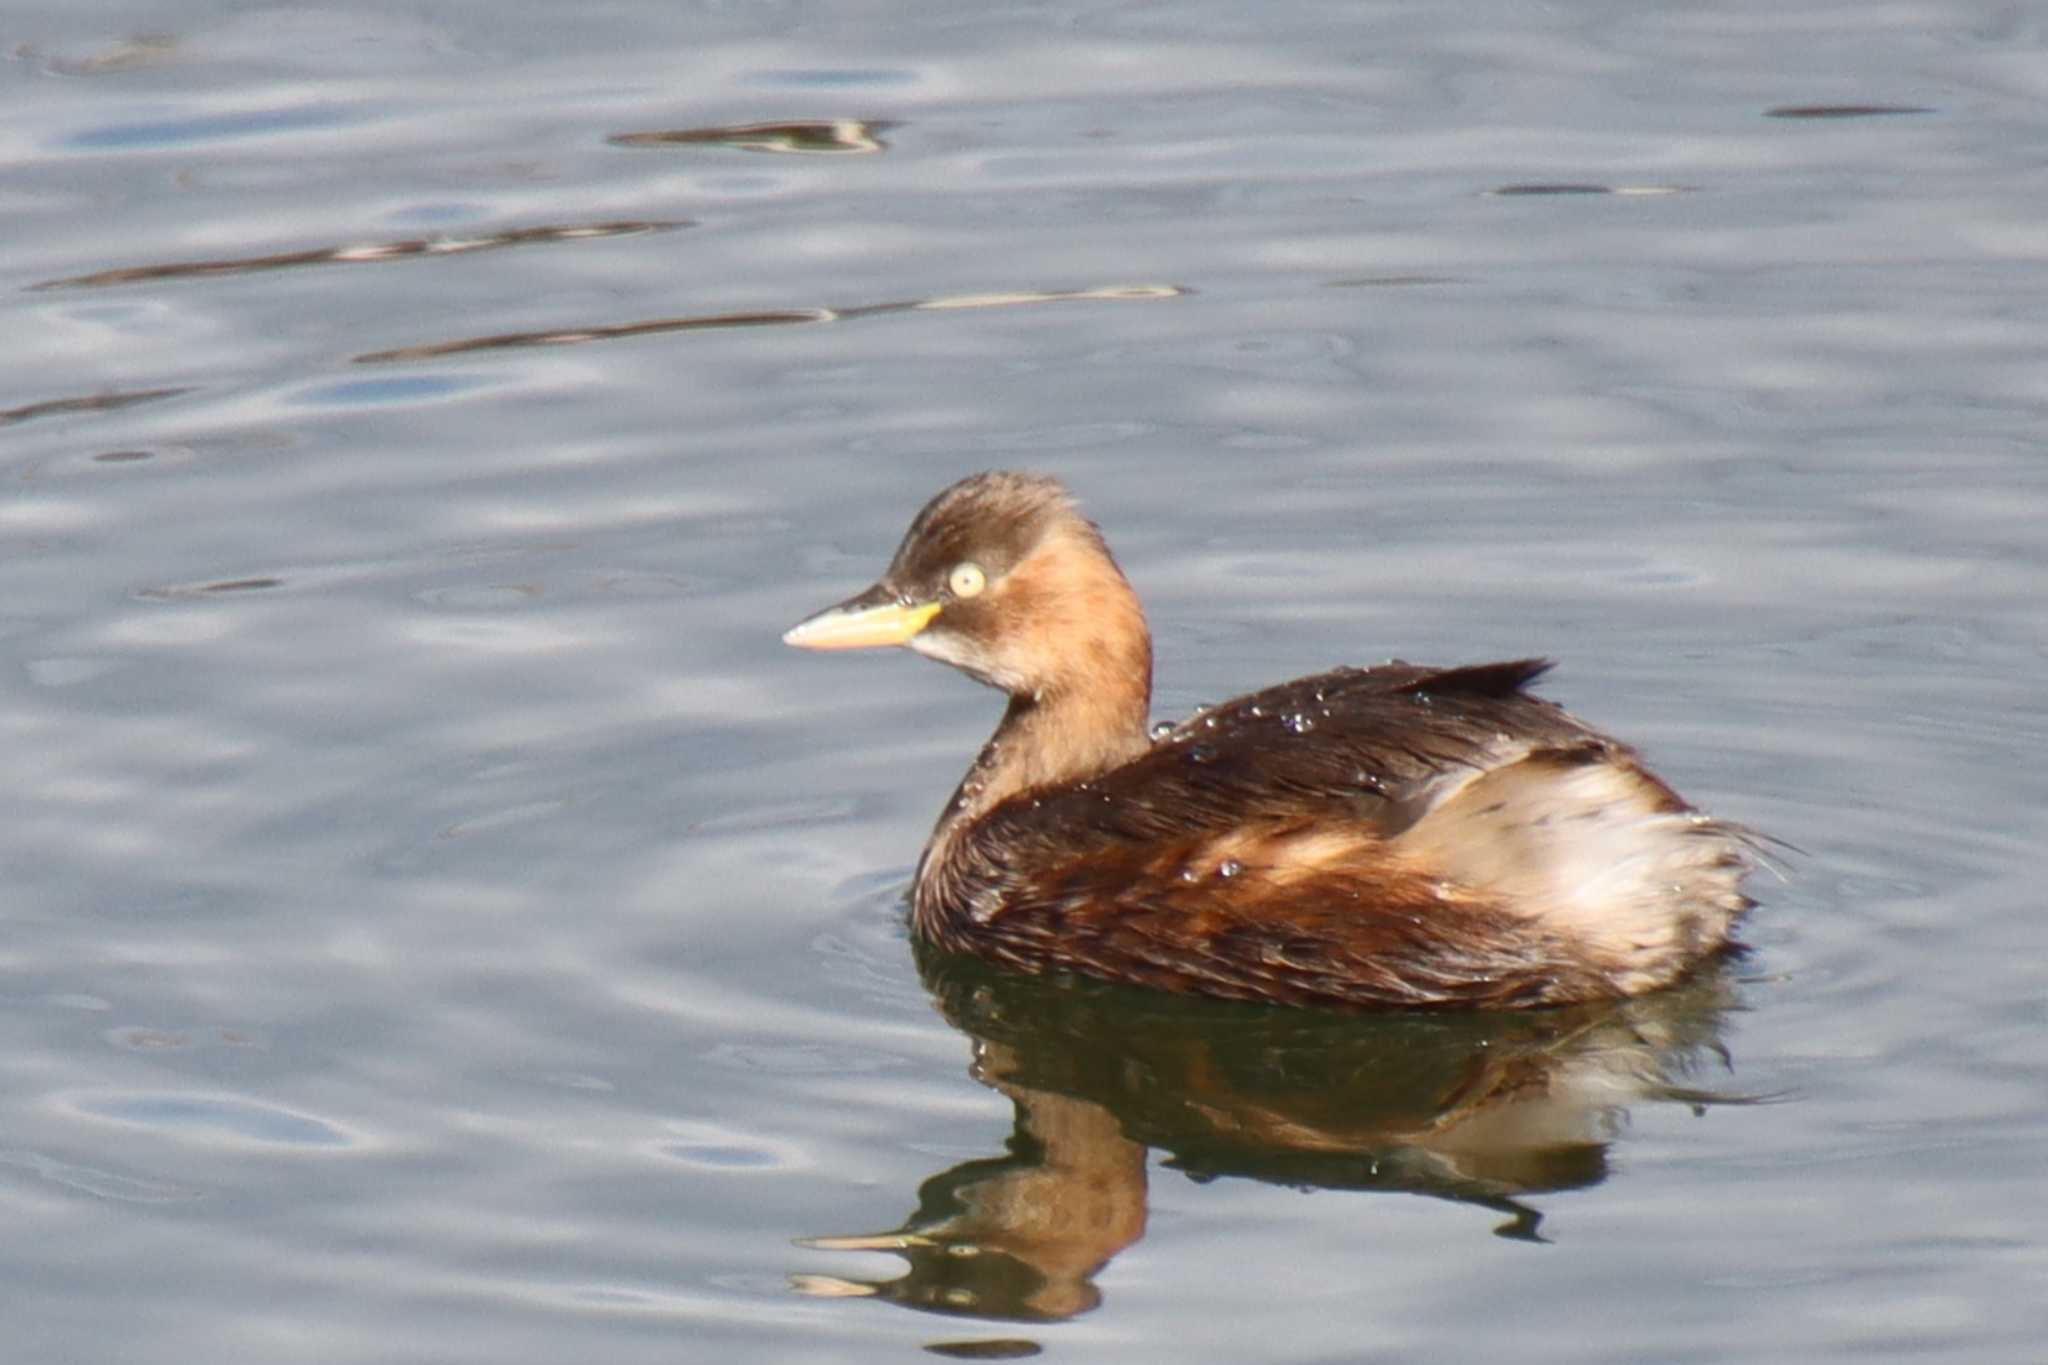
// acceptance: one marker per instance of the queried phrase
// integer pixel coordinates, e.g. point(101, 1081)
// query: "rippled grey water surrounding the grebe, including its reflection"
point(445, 924)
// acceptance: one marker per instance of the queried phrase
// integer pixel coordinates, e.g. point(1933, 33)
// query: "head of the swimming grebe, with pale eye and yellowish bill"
point(1002, 578)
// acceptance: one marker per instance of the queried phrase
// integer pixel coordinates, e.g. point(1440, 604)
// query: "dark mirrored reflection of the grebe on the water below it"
point(1476, 1108)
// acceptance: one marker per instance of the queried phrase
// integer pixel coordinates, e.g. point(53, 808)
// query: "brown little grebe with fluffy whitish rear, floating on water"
point(1390, 836)
